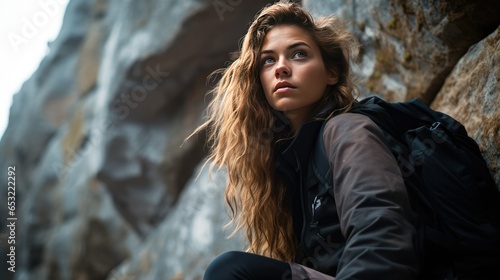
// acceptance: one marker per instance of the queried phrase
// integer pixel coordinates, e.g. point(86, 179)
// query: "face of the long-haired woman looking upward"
point(292, 72)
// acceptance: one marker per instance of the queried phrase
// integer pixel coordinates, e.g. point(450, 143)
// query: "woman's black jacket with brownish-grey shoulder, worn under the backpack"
point(360, 227)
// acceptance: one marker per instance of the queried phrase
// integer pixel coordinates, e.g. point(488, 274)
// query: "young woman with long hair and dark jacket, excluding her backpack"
point(293, 77)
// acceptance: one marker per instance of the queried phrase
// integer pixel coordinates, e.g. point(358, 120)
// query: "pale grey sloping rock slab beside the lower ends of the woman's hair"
point(192, 234)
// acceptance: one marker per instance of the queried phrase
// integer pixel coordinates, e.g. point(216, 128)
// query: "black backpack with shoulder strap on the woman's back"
point(455, 201)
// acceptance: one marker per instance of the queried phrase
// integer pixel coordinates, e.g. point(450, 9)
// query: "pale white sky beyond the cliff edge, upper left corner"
point(26, 26)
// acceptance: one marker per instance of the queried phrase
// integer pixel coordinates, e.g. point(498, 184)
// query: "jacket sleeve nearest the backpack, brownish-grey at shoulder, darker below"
point(372, 202)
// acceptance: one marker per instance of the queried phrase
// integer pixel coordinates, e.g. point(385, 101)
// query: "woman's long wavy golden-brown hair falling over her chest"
point(242, 132)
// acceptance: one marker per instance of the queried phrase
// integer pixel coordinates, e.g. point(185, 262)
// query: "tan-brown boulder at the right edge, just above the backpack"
point(471, 94)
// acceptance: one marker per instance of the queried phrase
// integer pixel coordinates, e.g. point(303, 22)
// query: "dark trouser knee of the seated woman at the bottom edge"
point(236, 265)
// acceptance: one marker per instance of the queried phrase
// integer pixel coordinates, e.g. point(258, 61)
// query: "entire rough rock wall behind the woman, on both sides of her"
point(105, 186)
